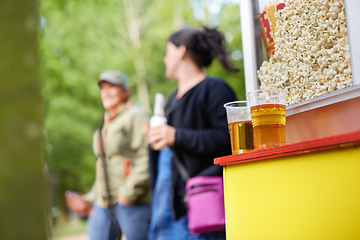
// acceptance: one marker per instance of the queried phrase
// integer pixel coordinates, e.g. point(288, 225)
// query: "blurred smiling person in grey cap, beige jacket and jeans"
point(125, 189)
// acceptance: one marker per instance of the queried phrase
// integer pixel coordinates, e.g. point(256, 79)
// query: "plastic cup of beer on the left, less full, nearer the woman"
point(240, 126)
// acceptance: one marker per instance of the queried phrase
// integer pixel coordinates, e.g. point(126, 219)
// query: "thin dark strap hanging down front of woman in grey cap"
point(114, 221)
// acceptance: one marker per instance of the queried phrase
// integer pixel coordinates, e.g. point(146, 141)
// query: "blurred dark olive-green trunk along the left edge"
point(23, 203)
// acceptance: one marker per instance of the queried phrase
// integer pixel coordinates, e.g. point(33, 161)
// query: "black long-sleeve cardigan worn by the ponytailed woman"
point(201, 135)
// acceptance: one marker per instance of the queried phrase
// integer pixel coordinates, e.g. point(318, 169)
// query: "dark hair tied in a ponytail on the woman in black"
point(204, 46)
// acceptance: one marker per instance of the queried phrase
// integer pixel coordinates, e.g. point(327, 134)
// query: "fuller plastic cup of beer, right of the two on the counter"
point(268, 116)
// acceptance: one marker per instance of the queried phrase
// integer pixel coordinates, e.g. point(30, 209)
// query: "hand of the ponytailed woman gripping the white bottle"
point(161, 136)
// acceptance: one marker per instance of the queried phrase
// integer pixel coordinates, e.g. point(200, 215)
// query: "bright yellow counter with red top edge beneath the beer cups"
point(307, 190)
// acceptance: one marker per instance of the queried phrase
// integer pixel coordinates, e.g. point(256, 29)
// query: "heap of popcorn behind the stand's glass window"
point(311, 56)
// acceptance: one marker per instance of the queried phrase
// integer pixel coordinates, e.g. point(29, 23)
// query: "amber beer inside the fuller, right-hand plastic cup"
point(268, 125)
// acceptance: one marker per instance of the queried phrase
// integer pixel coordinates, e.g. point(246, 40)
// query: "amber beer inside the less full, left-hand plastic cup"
point(241, 136)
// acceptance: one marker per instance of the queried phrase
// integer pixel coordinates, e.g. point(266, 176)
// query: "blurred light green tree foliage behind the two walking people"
point(80, 39)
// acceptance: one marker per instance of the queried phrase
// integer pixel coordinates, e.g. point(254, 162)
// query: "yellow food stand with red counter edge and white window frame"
point(309, 188)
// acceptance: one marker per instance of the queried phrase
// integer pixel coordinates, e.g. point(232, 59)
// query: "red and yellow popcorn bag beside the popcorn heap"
point(267, 24)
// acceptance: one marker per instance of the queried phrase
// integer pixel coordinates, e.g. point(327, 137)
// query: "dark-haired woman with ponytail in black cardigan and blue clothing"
point(196, 129)
